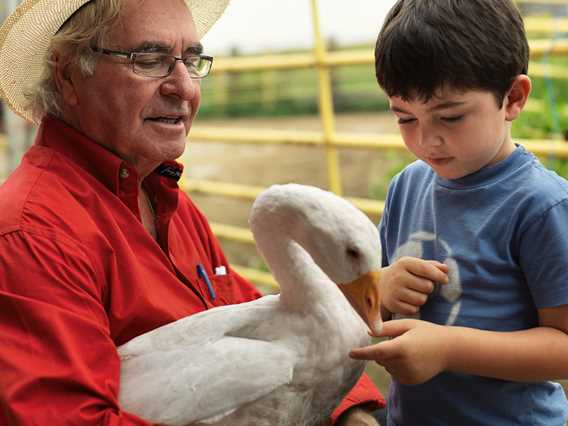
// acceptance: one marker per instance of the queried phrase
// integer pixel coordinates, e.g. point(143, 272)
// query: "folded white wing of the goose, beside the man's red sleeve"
point(180, 376)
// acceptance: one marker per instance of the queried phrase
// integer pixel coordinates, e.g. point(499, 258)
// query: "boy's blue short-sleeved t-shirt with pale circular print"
point(503, 232)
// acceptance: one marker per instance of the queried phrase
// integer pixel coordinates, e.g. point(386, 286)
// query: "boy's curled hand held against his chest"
point(406, 284)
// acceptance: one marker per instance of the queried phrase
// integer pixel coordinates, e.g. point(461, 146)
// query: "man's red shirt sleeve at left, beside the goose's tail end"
point(59, 364)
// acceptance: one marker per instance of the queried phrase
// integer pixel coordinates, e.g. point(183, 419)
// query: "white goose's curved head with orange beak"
point(340, 238)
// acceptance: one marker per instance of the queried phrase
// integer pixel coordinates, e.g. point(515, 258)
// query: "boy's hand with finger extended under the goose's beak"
point(416, 353)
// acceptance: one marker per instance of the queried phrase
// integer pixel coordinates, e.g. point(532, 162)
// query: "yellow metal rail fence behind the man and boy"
point(328, 139)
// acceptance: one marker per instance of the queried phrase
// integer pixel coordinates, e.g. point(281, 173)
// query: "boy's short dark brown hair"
point(425, 45)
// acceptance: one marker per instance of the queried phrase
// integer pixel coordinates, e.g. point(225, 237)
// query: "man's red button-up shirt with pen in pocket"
point(80, 275)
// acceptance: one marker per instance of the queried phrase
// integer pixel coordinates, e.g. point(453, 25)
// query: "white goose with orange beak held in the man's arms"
point(279, 360)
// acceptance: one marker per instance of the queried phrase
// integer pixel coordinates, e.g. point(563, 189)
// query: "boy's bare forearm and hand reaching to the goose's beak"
point(420, 350)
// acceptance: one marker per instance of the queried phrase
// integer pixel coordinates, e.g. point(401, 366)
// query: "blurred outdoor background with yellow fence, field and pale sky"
point(293, 98)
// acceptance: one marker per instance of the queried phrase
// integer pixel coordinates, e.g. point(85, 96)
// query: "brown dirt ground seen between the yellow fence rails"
point(265, 165)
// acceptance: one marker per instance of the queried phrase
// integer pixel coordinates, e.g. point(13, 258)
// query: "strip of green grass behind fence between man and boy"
point(288, 92)
